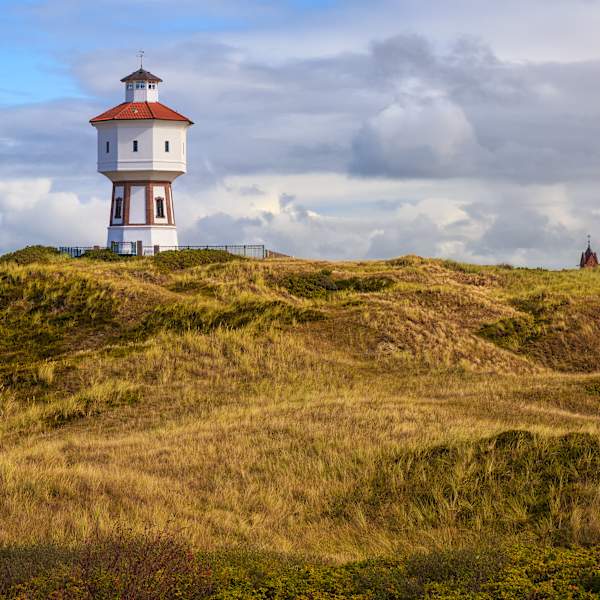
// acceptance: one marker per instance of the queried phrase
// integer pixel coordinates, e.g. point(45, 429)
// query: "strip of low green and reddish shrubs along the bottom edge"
point(156, 566)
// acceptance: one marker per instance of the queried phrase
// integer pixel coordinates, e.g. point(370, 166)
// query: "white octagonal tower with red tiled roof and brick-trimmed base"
point(142, 150)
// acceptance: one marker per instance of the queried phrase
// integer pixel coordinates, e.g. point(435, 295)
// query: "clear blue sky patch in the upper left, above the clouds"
point(35, 50)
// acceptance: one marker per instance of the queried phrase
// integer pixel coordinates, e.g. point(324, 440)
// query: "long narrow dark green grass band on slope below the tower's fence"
point(204, 318)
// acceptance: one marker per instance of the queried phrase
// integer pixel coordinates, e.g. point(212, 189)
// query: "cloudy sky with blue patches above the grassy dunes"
point(332, 129)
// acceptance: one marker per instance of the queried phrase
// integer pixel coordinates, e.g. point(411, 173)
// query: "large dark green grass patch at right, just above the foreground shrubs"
point(512, 482)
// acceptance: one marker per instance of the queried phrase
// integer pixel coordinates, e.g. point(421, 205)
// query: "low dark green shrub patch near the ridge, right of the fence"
point(321, 283)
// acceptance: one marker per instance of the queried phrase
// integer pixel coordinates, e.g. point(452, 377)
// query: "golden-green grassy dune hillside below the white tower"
point(401, 411)
